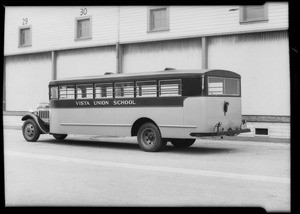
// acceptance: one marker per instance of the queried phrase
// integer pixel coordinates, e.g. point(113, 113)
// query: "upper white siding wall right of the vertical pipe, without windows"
point(189, 21)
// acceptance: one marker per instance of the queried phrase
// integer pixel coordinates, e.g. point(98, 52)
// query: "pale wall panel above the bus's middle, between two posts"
point(154, 56)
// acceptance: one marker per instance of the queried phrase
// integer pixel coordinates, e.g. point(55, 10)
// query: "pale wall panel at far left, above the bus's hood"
point(27, 79)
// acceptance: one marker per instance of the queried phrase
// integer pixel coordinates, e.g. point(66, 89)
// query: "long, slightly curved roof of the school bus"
point(172, 73)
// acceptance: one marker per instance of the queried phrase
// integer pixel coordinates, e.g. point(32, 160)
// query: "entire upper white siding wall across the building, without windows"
point(53, 27)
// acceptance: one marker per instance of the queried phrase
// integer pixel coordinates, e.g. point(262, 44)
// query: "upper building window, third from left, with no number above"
point(158, 19)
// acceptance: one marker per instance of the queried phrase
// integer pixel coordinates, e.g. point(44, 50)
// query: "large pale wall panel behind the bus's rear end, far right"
point(263, 62)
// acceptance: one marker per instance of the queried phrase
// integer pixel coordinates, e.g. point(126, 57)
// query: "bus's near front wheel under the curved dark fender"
point(30, 130)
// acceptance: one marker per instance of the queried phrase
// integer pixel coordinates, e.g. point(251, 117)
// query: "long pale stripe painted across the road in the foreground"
point(198, 172)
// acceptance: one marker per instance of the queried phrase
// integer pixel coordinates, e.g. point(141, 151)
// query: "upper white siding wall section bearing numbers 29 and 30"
point(53, 28)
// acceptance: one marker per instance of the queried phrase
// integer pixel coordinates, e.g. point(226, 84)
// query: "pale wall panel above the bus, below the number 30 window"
point(86, 62)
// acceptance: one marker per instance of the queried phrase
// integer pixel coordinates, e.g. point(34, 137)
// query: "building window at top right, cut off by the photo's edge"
point(253, 13)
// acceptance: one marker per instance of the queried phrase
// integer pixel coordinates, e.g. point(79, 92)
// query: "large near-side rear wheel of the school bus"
point(149, 138)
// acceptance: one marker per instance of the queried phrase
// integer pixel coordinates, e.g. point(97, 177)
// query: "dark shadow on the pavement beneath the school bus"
point(197, 148)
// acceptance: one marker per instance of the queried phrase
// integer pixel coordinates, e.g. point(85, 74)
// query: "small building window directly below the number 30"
point(83, 28)
